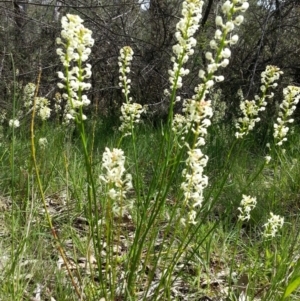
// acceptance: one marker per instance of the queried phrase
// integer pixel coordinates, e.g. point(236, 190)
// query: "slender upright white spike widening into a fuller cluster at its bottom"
point(131, 112)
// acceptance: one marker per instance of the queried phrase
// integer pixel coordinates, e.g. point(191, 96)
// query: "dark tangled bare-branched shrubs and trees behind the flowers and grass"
point(269, 36)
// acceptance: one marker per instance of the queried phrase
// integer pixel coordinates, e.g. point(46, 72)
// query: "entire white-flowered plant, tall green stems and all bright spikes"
point(144, 263)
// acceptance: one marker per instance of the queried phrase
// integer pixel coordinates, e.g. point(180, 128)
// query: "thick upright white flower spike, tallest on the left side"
point(76, 41)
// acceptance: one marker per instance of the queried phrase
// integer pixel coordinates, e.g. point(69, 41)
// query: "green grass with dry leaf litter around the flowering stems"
point(221, 253)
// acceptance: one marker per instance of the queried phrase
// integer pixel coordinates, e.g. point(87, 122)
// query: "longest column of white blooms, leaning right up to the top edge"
point(198, 111)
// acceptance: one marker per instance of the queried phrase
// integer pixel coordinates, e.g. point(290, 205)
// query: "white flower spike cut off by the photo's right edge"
point(287, 107)
